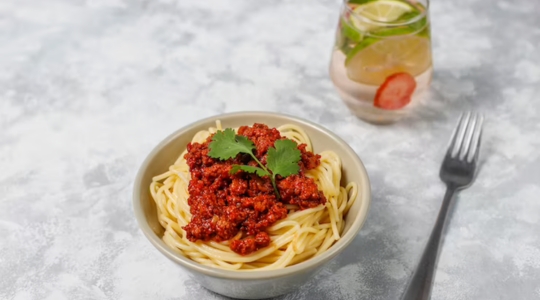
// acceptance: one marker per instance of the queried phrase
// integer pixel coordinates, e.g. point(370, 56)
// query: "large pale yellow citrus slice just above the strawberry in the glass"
point(376, 61)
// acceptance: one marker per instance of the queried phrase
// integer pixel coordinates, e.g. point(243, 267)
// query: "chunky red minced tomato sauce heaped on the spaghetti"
point(222, 204)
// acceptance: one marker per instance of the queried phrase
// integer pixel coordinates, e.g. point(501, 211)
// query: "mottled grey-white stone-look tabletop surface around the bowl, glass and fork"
point(87, 88)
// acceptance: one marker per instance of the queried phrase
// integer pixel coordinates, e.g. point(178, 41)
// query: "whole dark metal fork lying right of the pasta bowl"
point(458, 172)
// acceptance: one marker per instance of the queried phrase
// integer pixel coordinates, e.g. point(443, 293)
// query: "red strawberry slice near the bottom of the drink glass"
point(395, 92)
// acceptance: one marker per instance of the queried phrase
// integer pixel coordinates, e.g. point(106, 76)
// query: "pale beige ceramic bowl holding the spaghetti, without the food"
point(252, 284)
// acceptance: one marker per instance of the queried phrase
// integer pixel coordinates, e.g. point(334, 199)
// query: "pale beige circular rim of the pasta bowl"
point(185, 262)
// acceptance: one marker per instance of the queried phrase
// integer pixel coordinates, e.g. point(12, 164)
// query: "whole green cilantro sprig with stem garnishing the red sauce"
point(282, 159)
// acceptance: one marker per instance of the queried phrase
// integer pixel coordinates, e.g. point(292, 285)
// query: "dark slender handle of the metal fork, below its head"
point(419, 287)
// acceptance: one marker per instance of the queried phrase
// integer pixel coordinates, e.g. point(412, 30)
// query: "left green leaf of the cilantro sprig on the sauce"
point(226, 144)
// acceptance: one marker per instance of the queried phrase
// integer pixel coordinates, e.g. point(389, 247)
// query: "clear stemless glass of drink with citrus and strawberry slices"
point(381, 64)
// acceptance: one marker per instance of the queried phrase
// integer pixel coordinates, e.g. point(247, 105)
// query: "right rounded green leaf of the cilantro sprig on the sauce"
point(283, 158)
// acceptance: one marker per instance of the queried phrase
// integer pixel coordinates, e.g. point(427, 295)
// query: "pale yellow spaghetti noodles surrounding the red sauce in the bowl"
point(303, 234)
